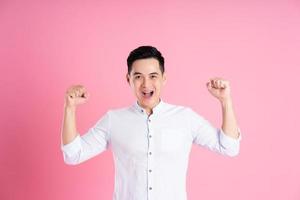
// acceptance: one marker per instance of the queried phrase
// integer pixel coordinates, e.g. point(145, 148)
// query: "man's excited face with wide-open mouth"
point(146, 81)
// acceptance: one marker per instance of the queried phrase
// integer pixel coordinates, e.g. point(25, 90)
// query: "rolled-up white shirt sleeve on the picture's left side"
point(92, 143)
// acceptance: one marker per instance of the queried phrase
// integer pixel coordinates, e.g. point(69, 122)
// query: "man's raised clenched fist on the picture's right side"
point(219, 88)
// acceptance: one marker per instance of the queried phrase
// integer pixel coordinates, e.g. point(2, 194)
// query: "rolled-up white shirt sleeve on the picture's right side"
point(215, 139)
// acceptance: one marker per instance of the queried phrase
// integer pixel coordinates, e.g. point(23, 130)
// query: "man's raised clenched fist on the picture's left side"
point(75, 95)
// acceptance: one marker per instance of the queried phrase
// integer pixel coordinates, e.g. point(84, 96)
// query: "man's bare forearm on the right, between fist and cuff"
point(229, 122)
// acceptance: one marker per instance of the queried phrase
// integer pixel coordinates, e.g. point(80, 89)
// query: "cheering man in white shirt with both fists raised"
point(150, 140)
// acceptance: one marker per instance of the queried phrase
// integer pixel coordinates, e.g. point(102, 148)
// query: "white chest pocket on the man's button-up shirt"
point(172, 140)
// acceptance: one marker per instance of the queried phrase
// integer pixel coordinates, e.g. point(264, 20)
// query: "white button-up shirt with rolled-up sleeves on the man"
point(150, 153)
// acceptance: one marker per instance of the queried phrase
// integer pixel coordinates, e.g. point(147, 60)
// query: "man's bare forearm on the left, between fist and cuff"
point(69, 131)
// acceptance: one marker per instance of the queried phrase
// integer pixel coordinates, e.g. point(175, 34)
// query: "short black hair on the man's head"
point(145, 52)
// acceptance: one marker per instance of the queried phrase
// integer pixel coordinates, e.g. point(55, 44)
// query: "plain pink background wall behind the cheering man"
point(45, 46)
